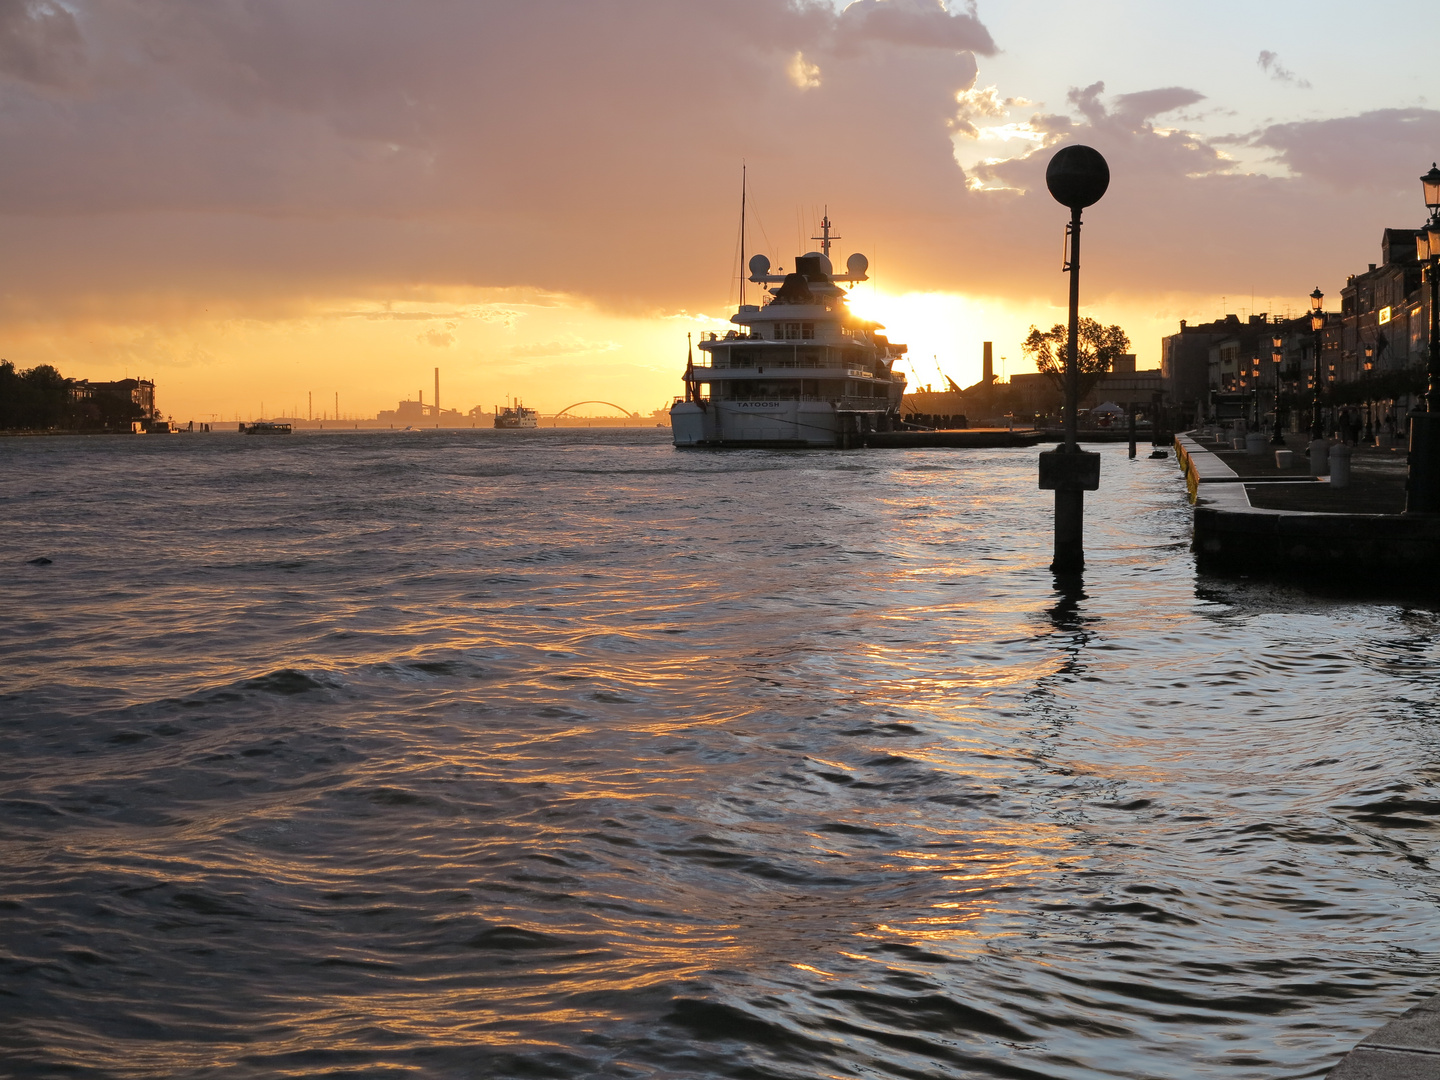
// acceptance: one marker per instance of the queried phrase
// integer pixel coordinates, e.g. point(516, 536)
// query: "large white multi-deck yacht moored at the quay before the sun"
point(800, 372)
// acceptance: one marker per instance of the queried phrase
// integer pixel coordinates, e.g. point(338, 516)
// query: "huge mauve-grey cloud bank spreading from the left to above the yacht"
point(349, 148)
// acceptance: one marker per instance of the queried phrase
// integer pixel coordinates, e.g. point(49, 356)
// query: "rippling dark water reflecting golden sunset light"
point(570, 755)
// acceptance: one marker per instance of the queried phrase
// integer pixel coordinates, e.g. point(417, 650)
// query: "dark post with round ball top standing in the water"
point(1078, 178)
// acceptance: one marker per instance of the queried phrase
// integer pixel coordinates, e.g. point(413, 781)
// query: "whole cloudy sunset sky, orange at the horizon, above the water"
point(266, 204)
